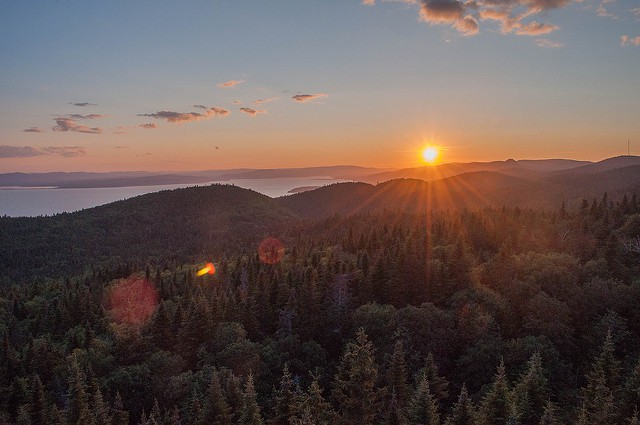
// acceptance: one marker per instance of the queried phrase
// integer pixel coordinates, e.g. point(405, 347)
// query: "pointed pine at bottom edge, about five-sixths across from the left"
point(531, 392)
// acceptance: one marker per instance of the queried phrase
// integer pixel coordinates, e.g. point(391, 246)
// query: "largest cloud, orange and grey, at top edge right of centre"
point(465, 15)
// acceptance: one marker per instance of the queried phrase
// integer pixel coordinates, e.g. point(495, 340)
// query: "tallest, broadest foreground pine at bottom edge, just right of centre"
point(354, 386)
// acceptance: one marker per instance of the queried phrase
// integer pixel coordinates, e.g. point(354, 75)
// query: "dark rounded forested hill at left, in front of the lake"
point(172, 226)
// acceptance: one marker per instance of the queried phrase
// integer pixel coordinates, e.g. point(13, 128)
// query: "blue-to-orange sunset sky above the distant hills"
point(193, 85)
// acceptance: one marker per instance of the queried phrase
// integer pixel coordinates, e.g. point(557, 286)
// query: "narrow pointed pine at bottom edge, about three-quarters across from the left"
point(497, 407)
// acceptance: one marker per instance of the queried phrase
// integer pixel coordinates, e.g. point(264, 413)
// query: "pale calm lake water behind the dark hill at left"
point(19, 202)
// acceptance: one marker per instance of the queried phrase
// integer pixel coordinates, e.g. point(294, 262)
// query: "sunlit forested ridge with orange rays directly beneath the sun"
point(471, 190)
